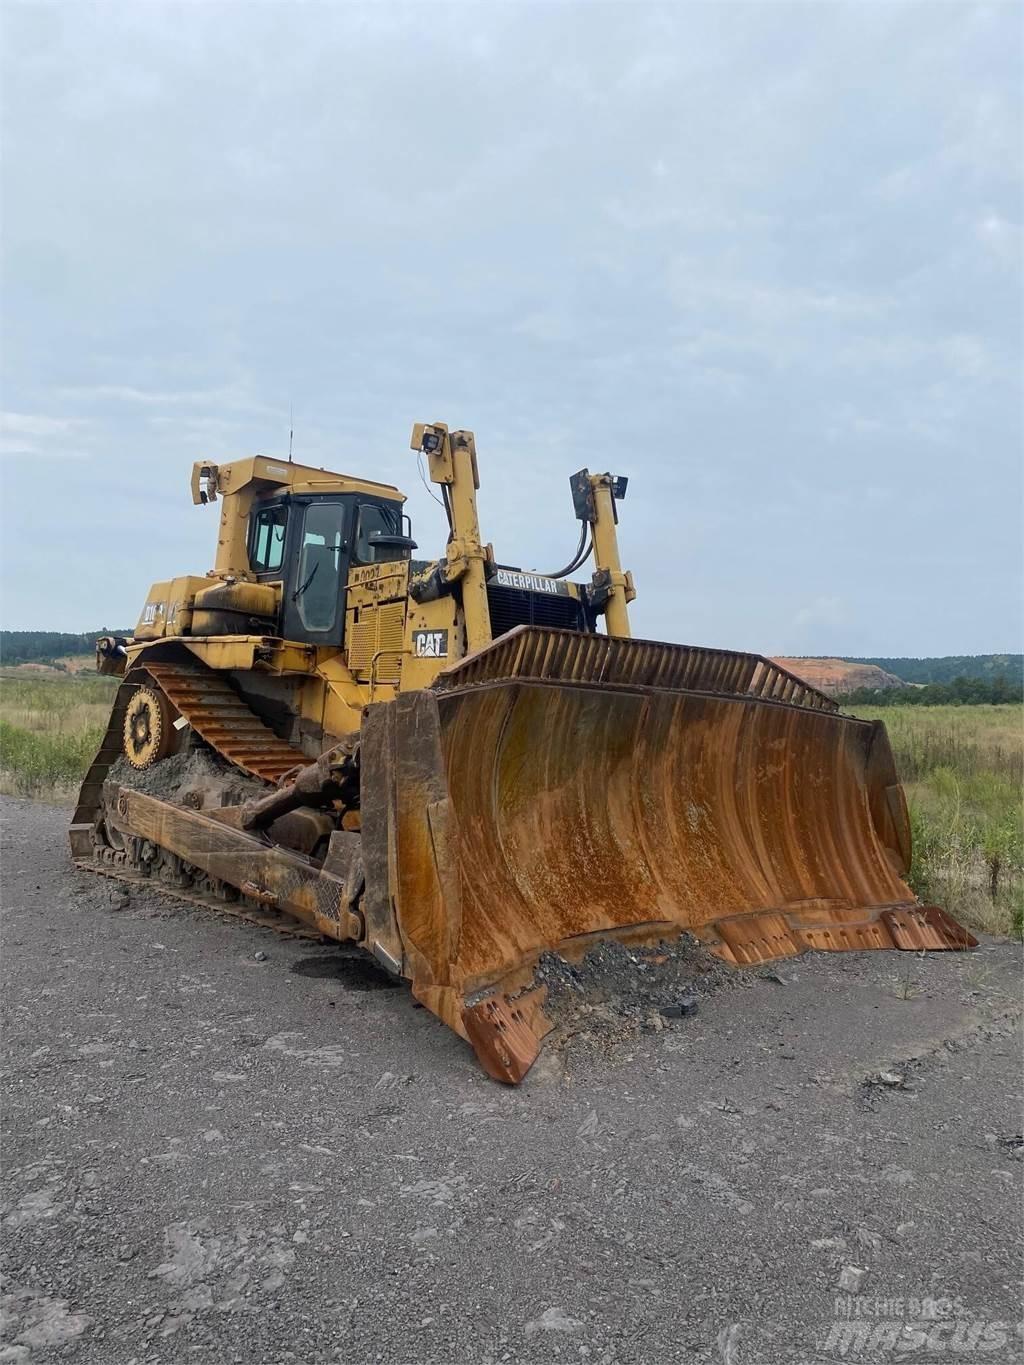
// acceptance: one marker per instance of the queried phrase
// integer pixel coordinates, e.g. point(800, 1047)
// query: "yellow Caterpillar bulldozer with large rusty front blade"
point(461, 765)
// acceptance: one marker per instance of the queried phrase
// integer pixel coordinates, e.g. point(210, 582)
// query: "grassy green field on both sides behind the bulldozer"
point(963, 768)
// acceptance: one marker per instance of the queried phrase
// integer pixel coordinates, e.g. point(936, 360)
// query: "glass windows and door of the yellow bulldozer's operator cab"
point(309, 544)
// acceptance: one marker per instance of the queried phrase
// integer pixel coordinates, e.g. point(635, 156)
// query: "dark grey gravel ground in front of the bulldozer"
point(214, 1157)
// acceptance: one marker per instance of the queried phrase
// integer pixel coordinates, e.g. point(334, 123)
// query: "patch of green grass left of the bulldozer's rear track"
point(50, 732)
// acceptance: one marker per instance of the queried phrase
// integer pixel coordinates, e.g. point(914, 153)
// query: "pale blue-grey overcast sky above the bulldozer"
point(764, 259)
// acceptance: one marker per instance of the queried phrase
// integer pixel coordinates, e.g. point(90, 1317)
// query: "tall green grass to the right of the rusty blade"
point(963, 769)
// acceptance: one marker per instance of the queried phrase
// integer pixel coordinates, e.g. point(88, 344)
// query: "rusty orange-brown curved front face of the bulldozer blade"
point(581, 811)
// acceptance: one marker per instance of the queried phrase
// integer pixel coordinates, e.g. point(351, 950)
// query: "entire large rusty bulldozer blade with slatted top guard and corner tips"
point(554, 790)
